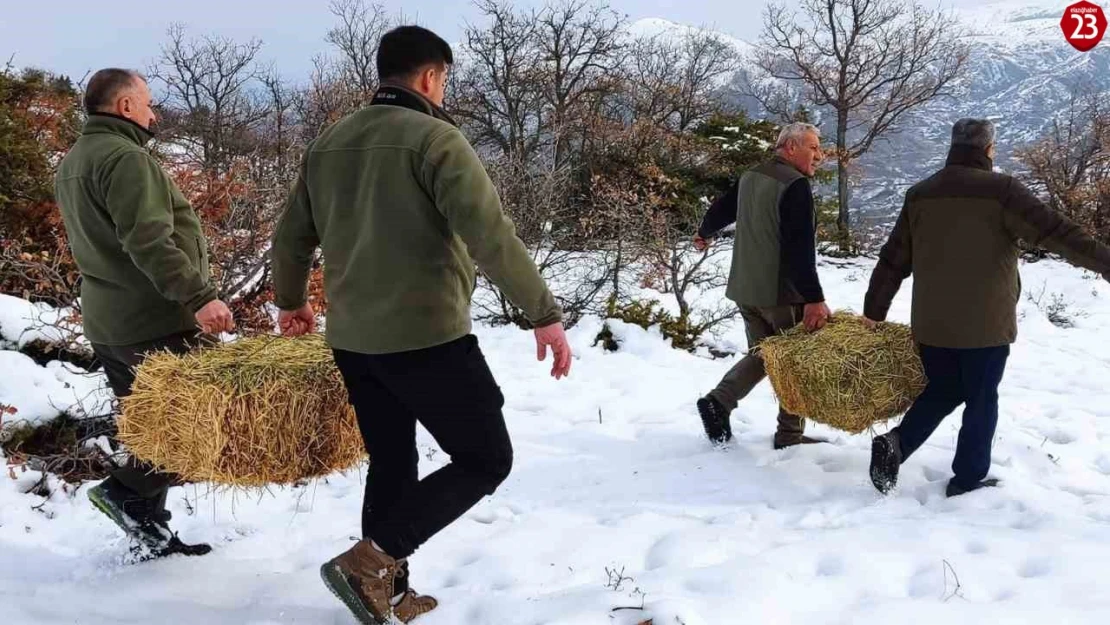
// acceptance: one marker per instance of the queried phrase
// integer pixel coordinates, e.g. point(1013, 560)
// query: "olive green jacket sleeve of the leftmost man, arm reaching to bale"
point(138, 198)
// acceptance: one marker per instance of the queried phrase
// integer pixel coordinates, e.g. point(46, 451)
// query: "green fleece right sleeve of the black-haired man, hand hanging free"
point(463, 193)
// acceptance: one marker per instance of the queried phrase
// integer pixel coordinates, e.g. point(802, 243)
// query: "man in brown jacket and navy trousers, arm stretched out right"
point(958, 234)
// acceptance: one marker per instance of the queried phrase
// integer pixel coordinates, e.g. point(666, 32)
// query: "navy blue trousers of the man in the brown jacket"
point(958, 377)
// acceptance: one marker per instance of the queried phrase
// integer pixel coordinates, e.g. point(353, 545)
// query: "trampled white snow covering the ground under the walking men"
point(618, 500)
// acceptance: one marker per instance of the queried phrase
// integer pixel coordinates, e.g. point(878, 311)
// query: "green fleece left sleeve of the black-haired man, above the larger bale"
point(295, 243)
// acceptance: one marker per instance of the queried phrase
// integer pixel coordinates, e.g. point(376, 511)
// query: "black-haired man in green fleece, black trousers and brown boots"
point(402, 209)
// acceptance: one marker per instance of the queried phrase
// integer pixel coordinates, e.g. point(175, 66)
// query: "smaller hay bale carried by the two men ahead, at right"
point(845, 376)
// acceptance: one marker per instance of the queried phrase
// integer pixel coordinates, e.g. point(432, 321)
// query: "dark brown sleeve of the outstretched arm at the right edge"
point(1028, 219)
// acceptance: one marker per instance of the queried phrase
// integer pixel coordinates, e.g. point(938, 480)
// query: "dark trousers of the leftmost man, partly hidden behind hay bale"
point(119, 364)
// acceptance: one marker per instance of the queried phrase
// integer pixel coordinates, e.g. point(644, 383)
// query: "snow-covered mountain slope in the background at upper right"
point(1023, 73)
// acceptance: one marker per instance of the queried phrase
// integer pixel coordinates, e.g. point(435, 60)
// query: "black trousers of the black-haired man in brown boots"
point(451, 392)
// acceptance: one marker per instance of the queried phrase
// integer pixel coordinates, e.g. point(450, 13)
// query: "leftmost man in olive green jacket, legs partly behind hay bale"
point(145, 275)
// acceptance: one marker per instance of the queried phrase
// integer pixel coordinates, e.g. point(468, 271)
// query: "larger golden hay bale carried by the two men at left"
point(260, 411)
